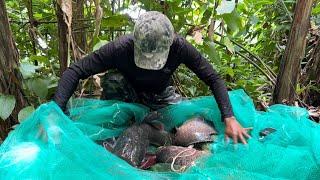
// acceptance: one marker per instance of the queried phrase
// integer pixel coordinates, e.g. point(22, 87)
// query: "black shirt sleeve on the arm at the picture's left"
point(94, 63)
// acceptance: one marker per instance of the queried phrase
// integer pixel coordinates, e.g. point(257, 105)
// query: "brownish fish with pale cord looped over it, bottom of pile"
point(178, 156)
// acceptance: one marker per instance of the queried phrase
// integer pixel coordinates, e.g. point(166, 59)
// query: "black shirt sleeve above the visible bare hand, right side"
point(201, 67)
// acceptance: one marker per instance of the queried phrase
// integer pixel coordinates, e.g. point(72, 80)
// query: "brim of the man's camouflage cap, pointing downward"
point(156, 62)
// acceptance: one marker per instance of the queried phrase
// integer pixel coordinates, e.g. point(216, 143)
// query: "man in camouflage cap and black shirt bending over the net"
point(146, 62)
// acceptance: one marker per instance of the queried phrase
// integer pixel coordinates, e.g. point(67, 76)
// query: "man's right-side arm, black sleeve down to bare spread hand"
point(199, 65)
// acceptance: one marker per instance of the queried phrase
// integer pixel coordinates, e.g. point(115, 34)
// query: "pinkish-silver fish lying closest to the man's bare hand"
point(193, 131)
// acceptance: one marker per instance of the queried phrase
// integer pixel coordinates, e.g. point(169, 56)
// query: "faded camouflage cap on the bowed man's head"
point(153, 36)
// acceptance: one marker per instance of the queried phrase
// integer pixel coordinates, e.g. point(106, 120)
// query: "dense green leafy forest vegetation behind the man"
point(244, 40)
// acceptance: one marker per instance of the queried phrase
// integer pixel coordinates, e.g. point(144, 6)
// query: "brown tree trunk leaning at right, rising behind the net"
point(295, 51)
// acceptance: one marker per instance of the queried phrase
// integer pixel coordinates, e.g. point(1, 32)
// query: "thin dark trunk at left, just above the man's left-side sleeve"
point(63, 41)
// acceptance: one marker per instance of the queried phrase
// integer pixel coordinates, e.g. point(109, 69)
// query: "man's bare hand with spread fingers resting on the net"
point(235, 131)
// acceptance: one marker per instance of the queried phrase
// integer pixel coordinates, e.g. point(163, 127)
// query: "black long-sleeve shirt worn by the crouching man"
point(119, 55)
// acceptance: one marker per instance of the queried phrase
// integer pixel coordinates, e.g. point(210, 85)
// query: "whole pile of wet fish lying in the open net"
point(177, 150)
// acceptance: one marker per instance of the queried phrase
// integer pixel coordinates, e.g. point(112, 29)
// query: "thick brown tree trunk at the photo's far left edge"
point(10, 77)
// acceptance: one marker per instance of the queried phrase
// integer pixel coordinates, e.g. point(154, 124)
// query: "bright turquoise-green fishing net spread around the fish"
point(51, 145)
